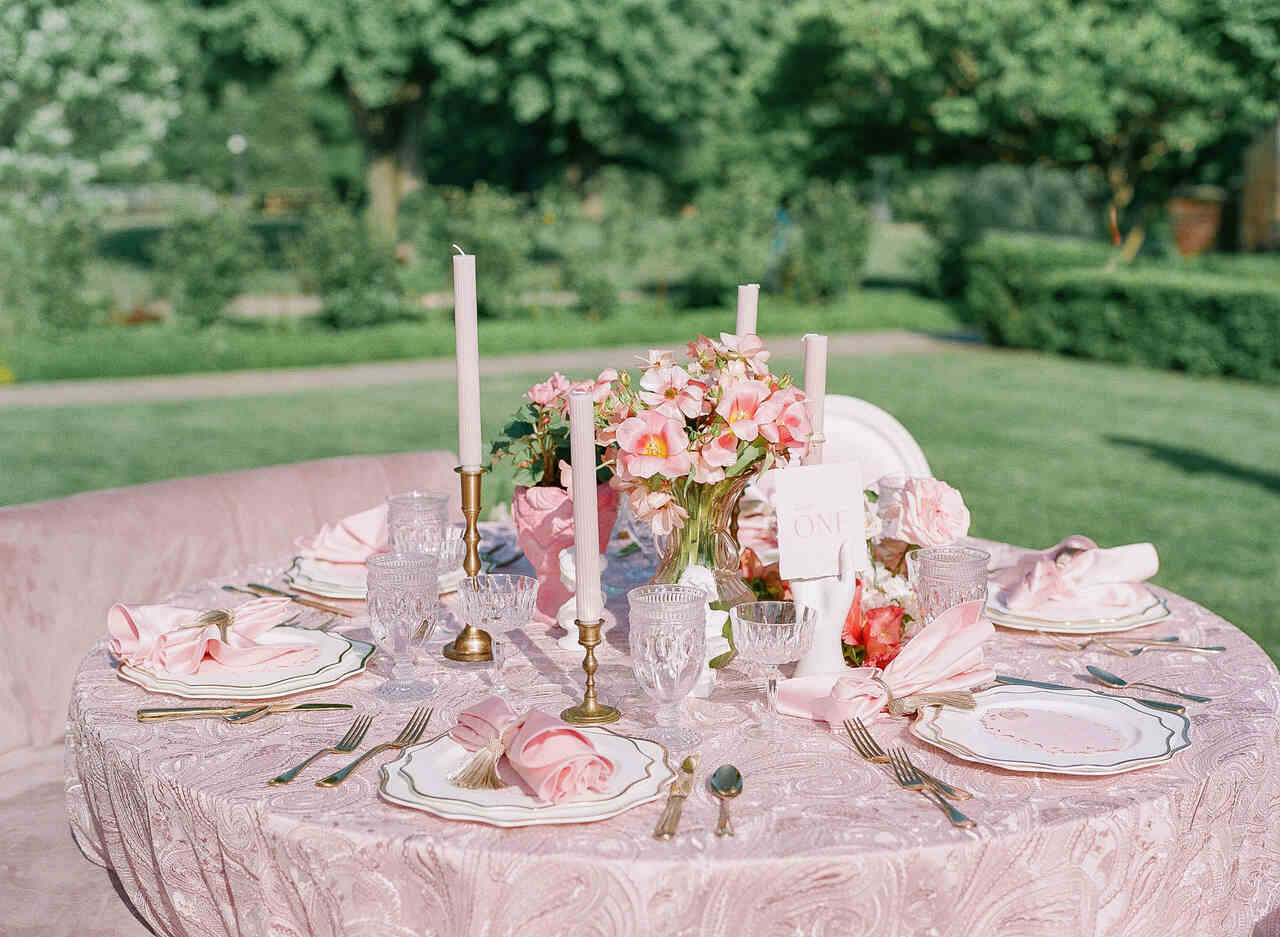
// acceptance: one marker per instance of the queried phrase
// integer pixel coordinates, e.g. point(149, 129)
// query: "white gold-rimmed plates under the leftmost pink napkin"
point(340, 657)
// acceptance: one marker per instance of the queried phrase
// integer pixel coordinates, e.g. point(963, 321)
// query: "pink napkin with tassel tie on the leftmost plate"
point(167, 639)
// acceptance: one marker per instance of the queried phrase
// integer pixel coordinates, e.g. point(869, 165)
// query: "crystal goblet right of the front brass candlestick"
point(669, 652)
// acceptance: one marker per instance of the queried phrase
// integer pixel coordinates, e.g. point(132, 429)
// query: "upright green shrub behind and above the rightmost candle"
point(826, 258)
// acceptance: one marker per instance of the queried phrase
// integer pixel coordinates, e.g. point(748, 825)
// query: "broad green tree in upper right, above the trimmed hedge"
point(1140, 92)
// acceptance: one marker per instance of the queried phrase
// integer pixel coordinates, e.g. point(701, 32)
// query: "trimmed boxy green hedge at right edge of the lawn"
point(1036, 294)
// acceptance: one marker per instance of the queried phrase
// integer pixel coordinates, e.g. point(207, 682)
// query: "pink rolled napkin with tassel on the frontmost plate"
point(554, 758)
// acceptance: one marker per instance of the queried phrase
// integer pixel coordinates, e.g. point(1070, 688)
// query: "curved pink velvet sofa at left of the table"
point(62, 565)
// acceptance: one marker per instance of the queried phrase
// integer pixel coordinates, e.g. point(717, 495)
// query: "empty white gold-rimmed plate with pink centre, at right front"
point(1057, 732)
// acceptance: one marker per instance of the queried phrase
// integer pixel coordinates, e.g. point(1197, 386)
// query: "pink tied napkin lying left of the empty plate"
point(947, 656)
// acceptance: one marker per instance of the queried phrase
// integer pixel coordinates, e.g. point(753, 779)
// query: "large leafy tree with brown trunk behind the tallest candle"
point(600, 83)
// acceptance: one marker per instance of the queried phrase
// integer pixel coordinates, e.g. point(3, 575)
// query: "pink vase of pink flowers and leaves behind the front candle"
point(537, 442)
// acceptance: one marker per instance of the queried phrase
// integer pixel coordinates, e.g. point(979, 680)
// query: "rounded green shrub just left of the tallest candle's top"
point(339, 258)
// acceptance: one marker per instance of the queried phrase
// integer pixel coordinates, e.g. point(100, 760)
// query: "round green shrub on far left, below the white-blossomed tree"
point(204, 263)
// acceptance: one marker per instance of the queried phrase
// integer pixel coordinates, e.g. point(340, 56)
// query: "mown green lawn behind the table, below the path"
point(1041, 447)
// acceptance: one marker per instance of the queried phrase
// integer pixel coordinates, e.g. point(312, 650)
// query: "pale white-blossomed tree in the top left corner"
point(88, 89)
